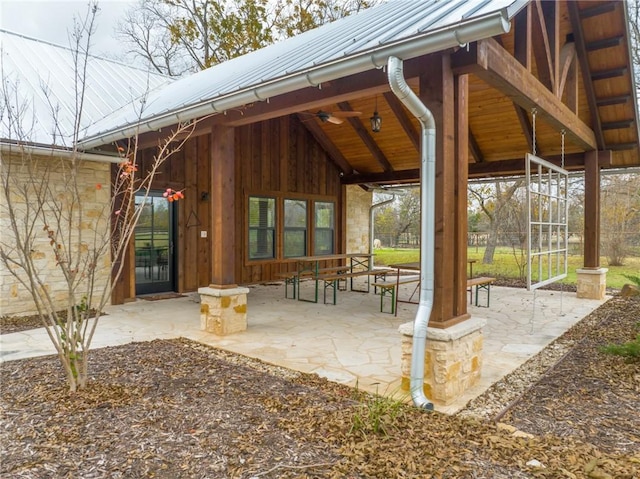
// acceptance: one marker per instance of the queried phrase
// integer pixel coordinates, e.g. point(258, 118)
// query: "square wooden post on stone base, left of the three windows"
point(223, 207)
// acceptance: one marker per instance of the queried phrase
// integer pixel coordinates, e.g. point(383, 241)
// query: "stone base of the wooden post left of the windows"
point(223, 311)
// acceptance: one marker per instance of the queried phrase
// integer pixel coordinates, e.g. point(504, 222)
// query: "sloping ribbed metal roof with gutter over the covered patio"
point(399, 22)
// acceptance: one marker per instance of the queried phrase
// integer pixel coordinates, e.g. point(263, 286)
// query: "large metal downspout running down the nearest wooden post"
point(427, 225)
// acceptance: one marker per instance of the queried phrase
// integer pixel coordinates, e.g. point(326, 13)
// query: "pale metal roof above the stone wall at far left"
point(39, 76)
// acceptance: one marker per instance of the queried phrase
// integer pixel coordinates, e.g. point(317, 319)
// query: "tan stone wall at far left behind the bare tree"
point(14, 298)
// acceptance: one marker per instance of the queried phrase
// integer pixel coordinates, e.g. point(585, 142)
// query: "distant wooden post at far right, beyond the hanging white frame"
point(591, 210)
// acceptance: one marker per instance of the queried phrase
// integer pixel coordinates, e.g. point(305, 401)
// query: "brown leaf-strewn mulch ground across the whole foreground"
point(177, 409)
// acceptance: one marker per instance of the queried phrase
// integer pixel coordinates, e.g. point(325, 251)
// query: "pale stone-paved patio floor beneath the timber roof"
point(351, 343)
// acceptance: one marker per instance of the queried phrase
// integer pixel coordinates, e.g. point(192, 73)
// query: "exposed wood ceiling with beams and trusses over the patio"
point(568, 60)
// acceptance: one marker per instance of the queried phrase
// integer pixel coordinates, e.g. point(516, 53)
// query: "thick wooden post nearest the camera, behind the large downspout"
point(437, 91)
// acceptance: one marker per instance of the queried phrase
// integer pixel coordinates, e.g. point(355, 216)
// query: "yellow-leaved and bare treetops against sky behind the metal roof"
point(178, 36)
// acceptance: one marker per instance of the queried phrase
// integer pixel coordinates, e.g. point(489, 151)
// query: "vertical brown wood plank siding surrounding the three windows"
point(279, 158)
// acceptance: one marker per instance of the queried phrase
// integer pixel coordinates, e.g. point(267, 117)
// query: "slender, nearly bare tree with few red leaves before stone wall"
point(64, 235)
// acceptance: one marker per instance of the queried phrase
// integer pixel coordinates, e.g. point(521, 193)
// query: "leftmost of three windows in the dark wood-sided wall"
point(262, 216)
